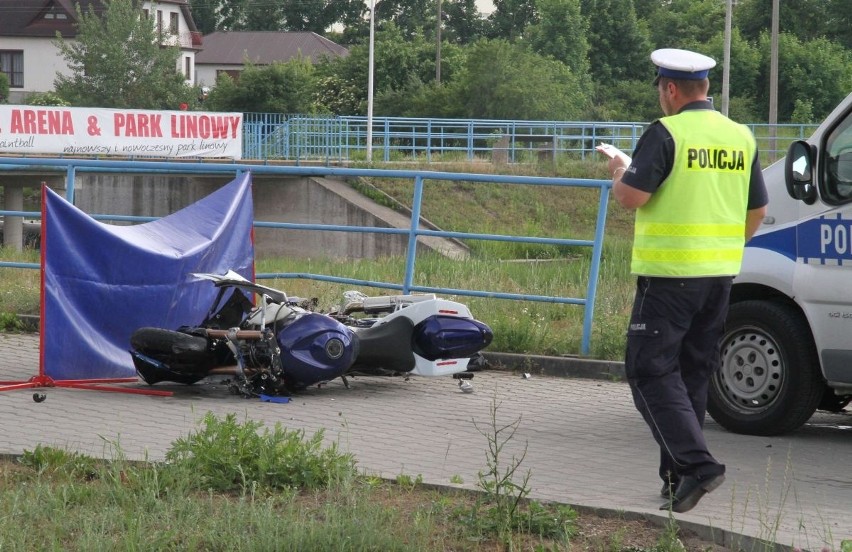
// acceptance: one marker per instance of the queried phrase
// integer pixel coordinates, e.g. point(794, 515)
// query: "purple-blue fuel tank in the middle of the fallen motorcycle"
point(315, 348)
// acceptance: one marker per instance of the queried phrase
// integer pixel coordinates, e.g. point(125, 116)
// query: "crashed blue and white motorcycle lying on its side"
point(282, 344)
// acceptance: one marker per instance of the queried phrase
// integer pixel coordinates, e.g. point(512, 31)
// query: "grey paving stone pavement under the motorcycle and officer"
point(585, 443)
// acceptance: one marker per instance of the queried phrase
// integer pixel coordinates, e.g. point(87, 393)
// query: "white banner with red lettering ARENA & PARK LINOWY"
point(123, 132)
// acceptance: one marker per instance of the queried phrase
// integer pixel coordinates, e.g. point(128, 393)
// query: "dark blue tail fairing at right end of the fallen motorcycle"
point(441, 337)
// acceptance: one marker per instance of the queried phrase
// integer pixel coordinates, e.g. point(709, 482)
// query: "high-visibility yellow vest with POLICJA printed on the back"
point(694, 223)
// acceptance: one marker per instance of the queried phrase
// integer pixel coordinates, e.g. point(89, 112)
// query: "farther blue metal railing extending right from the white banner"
point(275, 136)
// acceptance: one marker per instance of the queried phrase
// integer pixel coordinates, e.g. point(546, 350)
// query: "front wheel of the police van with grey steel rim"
point(769, 382)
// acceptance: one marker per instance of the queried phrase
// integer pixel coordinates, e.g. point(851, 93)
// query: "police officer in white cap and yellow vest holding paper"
point(696, 185)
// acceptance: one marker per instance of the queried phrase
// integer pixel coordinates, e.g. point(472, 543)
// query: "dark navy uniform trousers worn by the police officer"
point(672, 350)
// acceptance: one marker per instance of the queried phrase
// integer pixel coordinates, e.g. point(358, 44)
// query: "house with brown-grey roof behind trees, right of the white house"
point(227, 51)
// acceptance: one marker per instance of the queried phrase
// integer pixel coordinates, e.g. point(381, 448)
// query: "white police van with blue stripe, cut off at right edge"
point(787, 347)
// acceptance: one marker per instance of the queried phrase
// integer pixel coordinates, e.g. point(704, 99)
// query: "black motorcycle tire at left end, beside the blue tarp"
point(179, 350)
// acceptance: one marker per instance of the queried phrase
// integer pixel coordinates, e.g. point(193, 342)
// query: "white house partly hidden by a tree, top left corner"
point(28, 30)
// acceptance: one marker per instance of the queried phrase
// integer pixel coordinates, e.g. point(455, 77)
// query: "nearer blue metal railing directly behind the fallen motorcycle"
point(72, 167)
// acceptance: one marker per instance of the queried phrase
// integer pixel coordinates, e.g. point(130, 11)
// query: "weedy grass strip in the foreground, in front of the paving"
point(234, 485)
